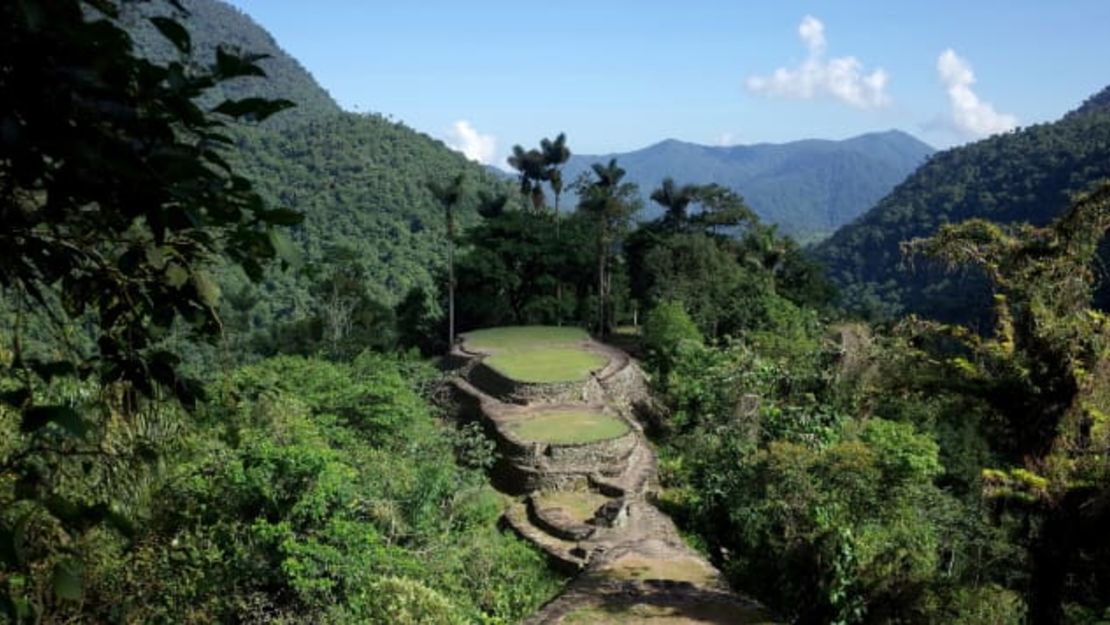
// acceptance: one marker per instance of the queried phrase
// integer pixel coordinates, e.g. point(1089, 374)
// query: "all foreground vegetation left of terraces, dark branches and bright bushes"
point(135, 488)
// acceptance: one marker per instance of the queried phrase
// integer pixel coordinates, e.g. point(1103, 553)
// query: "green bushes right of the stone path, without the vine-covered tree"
point(834, 483)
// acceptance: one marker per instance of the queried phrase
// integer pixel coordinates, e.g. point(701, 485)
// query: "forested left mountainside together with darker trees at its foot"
point(372, 230)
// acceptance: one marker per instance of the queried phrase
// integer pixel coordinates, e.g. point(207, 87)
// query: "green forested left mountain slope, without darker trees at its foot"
point(361, 180)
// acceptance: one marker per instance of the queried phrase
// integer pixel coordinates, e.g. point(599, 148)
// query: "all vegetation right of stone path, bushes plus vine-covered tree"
point(931, 476)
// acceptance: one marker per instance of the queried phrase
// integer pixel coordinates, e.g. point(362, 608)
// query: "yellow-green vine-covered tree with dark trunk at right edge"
point(1044, 374)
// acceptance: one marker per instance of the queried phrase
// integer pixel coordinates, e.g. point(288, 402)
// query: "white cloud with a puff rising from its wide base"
point(842, 78)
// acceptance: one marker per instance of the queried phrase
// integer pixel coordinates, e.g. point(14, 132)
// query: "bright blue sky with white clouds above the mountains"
point(622, 75)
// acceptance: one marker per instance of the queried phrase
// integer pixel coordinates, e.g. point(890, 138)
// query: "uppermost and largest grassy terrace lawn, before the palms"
point(537, 354)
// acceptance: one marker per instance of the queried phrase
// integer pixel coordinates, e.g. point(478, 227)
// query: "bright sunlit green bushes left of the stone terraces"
point(310, 491)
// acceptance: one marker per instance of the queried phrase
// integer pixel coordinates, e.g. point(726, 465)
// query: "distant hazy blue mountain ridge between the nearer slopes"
point(810, 188)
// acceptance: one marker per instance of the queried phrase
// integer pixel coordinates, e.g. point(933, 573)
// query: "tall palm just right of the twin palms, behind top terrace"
point(611, 203)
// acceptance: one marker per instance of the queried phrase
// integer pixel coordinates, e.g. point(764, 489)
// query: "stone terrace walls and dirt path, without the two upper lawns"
point(588, 505)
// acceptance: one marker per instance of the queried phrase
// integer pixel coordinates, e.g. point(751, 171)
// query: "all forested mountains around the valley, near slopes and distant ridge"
point(361, 180)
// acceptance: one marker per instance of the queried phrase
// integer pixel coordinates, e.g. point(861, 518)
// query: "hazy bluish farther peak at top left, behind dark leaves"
point(213, 23)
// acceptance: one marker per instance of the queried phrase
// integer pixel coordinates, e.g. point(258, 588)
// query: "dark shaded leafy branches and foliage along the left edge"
point(118, 200)
